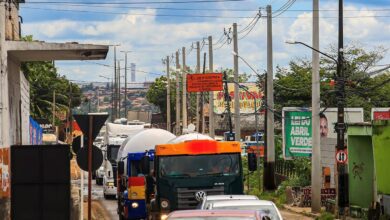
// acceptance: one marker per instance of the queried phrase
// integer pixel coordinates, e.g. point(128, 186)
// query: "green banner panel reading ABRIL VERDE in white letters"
point(297, 140)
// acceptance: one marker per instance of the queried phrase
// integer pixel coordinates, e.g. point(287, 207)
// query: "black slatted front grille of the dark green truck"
point(186, 196)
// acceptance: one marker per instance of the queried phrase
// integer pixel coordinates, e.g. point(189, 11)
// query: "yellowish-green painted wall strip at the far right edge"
point(381, 142)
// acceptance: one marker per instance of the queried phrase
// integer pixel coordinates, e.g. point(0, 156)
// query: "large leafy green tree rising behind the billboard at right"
point(293, 85)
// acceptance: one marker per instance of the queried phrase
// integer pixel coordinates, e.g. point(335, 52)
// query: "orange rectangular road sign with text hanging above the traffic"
point(204, 82)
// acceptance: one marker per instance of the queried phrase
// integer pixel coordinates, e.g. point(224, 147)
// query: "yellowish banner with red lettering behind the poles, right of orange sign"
point(247, 103)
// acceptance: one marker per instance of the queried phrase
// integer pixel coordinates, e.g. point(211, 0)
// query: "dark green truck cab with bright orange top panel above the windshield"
point(186, 172)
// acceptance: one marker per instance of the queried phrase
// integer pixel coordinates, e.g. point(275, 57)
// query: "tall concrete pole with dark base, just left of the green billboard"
point(269, 166)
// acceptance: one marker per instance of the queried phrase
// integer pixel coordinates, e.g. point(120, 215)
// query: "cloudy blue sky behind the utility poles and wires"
point(155, 29)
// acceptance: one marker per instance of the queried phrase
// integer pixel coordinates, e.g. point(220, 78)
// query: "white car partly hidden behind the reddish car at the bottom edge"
point(265, 206)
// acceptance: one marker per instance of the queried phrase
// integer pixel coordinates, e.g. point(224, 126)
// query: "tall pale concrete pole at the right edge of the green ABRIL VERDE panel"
point(315, 115)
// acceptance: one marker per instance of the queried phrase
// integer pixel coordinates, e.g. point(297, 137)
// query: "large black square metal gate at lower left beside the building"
point(40, 182)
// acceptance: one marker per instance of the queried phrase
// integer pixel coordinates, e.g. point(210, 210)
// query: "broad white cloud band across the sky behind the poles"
point(146, 33)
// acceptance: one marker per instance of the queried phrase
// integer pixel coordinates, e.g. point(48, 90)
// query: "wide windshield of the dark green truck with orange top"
point(199, 165)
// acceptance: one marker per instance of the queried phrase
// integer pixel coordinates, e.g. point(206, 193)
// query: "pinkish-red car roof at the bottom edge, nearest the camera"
point(210, 213)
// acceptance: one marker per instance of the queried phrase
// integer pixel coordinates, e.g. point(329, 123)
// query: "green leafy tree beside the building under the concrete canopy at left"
point(44, 80)
